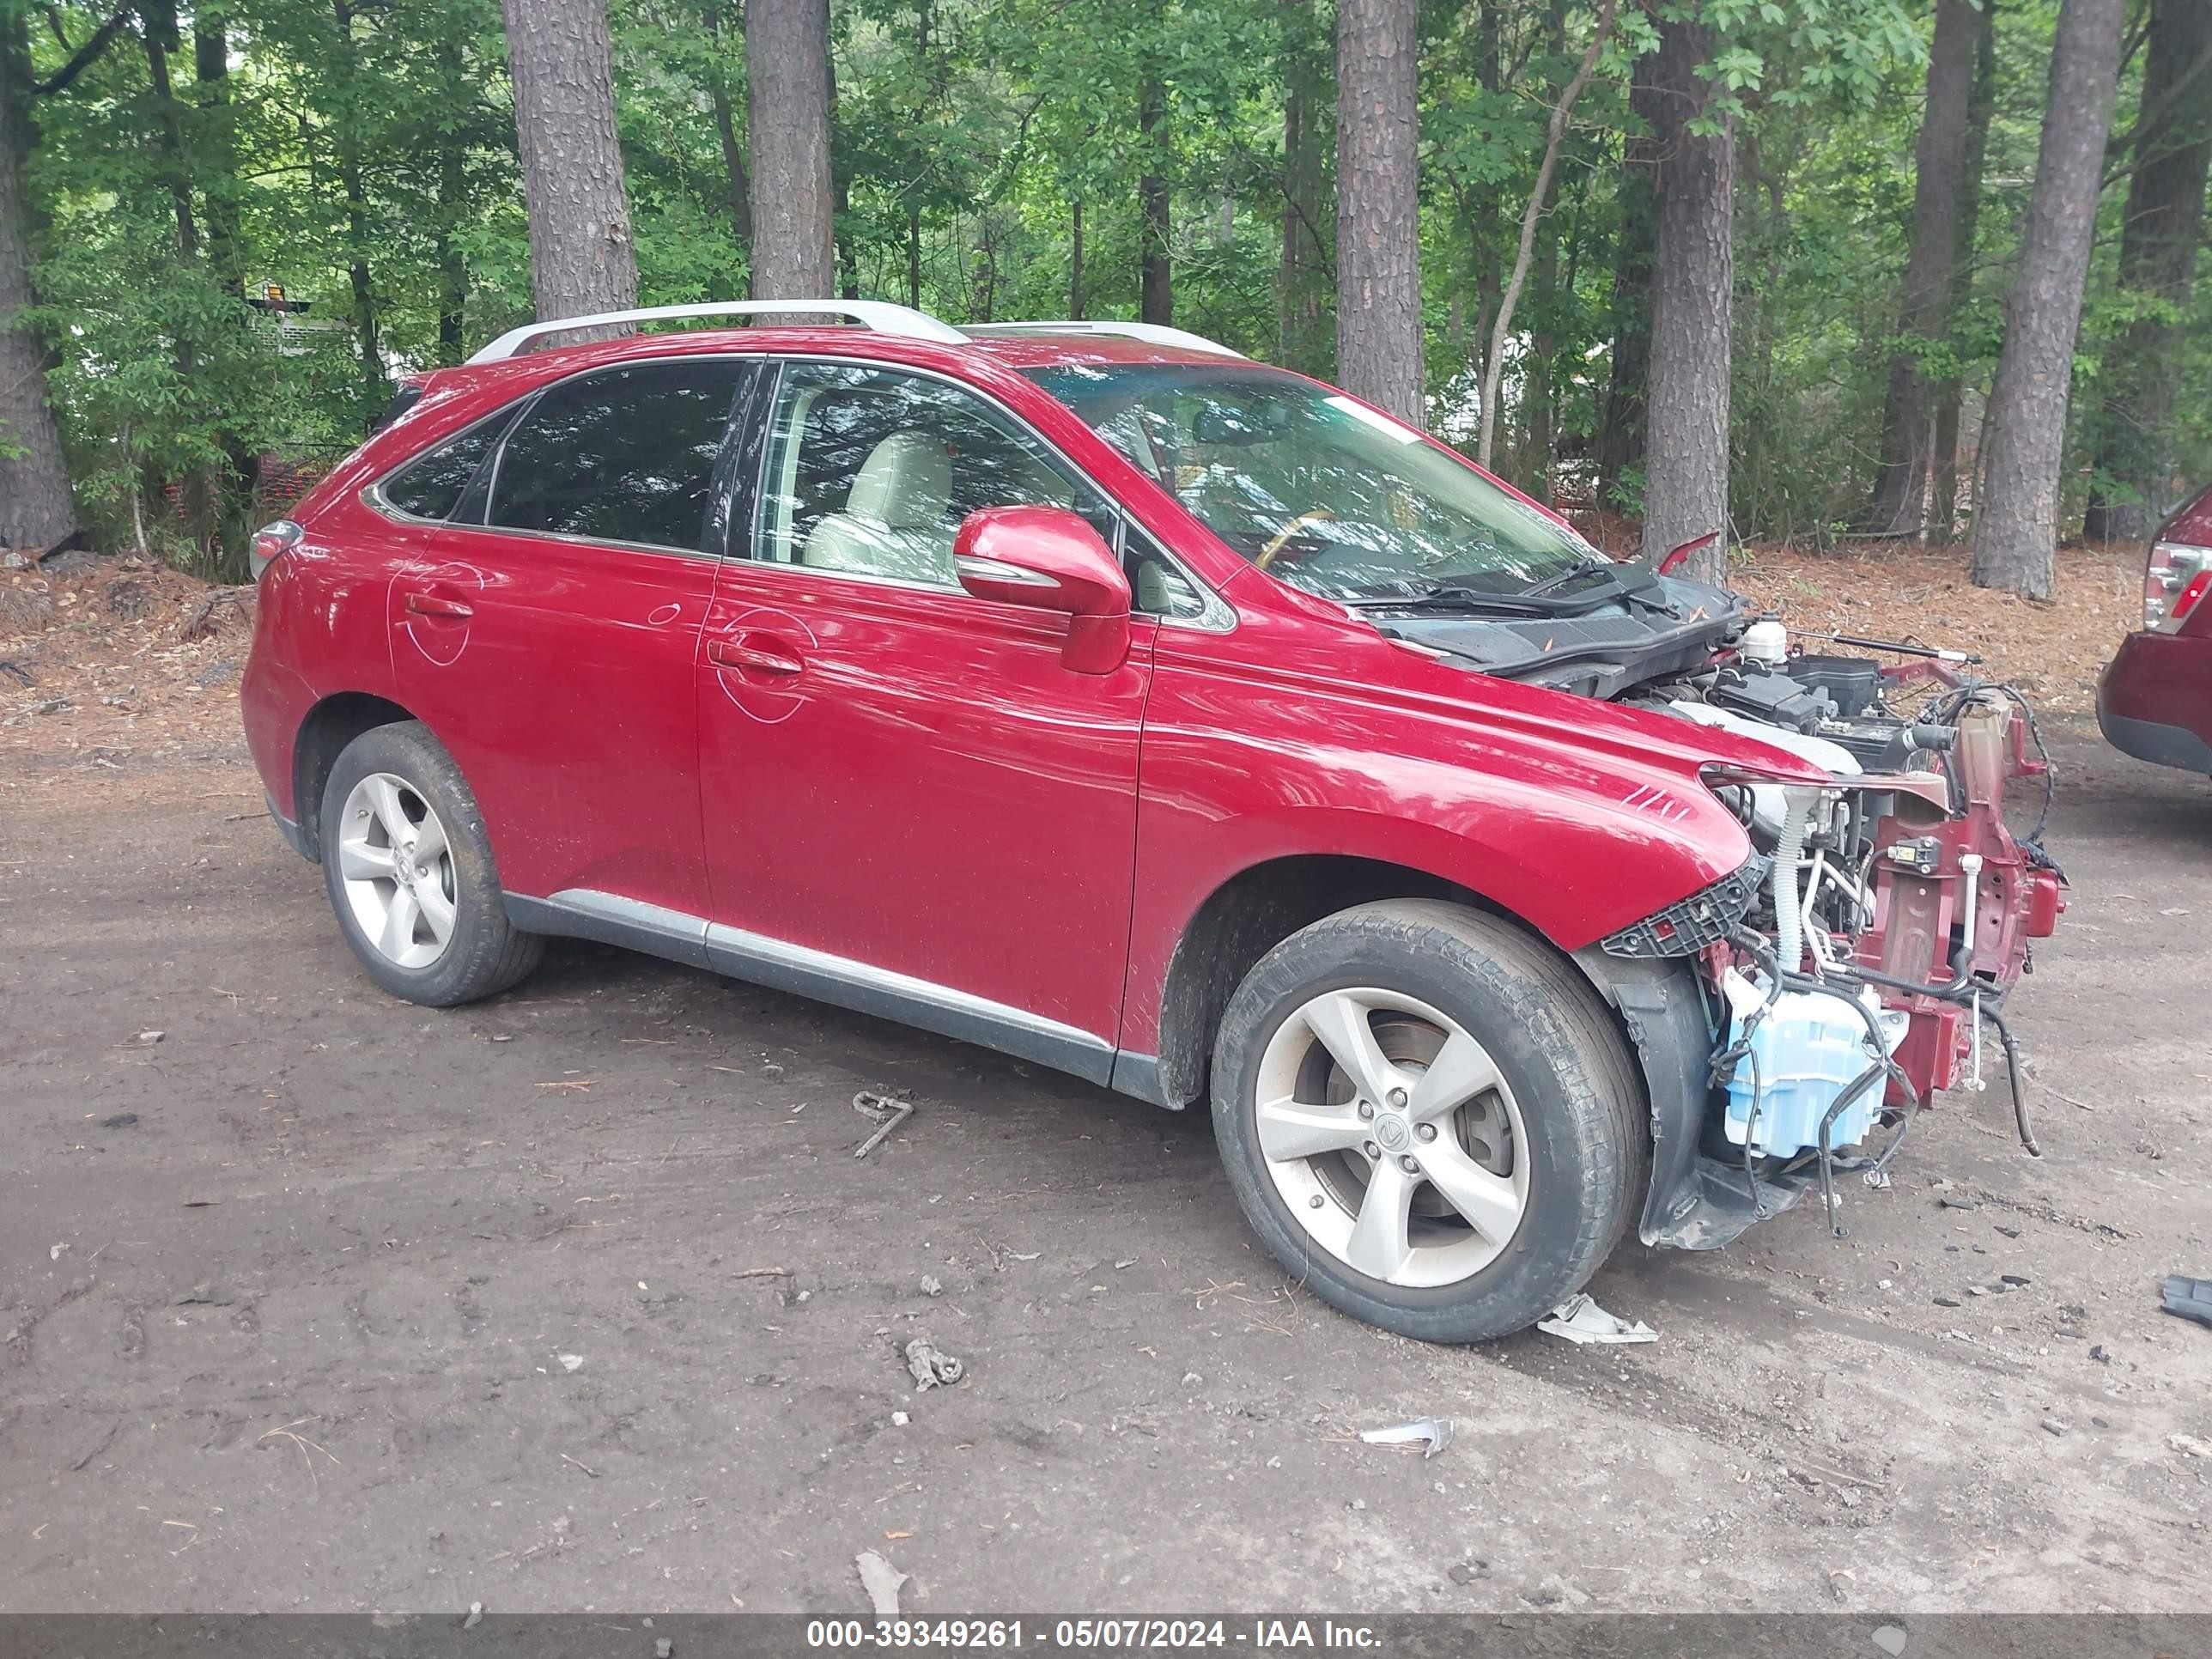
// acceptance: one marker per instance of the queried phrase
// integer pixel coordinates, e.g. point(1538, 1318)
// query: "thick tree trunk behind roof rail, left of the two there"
point(563, 72)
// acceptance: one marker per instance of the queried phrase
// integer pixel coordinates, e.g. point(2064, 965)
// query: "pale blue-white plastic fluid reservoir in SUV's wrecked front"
point(1804, 1054)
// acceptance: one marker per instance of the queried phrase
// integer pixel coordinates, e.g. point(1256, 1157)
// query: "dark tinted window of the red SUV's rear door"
point(620, 457)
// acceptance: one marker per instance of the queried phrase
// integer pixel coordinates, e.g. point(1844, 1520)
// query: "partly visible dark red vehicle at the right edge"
point(2156, 698)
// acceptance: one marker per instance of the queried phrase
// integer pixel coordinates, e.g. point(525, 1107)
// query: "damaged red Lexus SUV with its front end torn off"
point(1098, 696)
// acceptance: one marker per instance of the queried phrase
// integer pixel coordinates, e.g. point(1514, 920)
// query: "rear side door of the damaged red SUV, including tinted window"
point(550, 634)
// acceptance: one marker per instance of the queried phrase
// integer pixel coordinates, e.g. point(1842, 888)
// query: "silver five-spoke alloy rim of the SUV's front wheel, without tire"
point(1392, 1138)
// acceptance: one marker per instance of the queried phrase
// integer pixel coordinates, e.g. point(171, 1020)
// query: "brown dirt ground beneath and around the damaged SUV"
point(578, 1300)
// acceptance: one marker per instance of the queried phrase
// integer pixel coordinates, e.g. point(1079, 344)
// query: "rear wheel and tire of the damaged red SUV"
point(410, 873)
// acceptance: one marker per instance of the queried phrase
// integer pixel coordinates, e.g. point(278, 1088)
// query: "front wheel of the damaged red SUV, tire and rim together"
point(1430, 1118)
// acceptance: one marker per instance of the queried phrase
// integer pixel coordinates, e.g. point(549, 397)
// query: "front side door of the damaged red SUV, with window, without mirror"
point(910, 804)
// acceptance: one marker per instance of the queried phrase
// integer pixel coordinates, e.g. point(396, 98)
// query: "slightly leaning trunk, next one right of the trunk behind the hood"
point(1926, 306)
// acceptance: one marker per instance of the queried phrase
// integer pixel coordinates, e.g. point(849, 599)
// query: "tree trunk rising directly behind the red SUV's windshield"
point(1379, 205)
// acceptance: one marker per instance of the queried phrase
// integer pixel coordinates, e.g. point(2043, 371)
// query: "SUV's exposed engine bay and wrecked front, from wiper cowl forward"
point(1859, 961)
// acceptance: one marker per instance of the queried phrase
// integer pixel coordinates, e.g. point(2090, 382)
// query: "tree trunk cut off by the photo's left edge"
point(36, 508)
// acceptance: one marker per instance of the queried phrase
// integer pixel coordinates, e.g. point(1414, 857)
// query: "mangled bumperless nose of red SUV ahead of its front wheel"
point(1901, 904)
